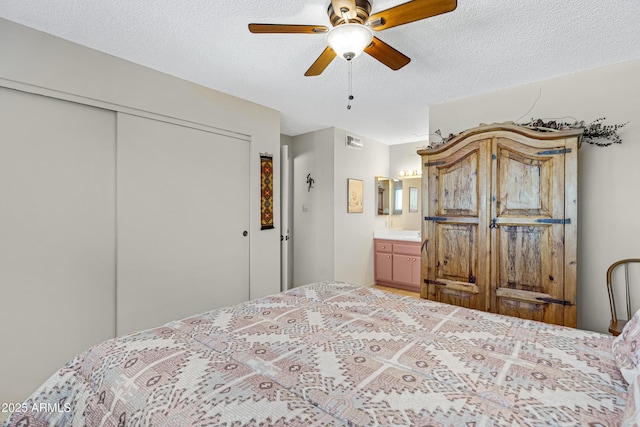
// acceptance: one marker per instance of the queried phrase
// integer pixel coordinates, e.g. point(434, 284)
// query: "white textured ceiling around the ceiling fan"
point(481, 46)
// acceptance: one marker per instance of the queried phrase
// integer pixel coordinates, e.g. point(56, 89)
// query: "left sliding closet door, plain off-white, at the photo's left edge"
point(57, 236)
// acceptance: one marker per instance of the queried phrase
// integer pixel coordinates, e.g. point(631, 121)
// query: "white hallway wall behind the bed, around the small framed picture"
point(328, 242)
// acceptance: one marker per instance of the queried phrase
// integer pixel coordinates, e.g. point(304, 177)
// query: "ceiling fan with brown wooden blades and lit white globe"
point(352, 30)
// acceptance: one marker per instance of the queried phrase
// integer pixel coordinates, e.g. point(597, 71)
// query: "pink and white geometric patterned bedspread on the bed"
point(333, 354)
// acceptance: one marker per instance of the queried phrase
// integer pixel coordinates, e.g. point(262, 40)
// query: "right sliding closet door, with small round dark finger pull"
point(183, 210)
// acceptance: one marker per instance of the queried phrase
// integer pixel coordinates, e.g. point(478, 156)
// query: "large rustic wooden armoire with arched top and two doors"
point(500, 222)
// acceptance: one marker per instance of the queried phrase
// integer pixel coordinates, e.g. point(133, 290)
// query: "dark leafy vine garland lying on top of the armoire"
point(595, 133)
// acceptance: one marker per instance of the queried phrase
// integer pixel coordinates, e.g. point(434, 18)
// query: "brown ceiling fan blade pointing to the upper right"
point(409, 12)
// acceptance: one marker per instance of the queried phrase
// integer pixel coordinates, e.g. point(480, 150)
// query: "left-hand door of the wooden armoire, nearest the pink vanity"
point(457, 228)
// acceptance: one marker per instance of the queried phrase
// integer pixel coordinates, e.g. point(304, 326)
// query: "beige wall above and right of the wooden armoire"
point(608, 202)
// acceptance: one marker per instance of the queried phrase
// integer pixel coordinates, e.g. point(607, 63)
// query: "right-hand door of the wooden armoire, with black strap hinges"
point(528, 231)
